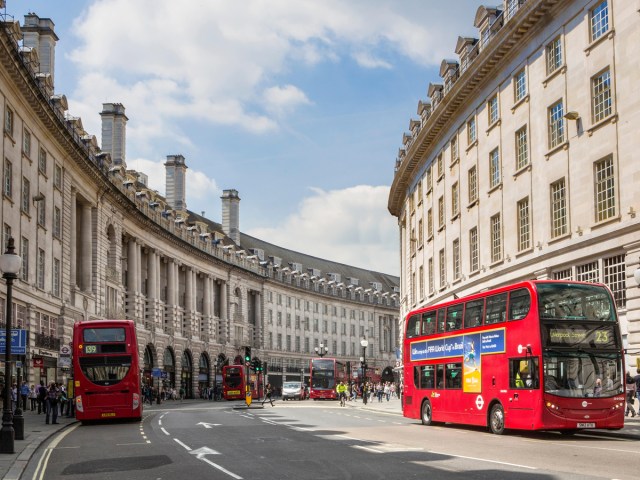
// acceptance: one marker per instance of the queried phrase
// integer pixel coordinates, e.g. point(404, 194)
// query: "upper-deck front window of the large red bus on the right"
point(569, 301)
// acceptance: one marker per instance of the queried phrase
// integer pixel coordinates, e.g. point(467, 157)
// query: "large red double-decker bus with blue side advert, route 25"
point(536, 355)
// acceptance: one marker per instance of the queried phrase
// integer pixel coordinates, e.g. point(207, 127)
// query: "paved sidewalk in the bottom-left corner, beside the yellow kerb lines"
point(35, 433)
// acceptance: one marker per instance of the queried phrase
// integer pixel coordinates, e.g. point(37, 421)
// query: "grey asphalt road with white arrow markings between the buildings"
point(319, 440)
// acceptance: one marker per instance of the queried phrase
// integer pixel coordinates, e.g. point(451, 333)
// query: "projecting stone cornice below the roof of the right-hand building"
point(479, 72)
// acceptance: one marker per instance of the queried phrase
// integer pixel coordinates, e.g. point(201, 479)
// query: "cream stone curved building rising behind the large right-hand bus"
point(523, 162)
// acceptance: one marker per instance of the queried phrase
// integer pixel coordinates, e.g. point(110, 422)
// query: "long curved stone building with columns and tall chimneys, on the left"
point(97, 242)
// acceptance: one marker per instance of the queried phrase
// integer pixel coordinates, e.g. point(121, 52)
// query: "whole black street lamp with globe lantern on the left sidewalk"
point(10, 265)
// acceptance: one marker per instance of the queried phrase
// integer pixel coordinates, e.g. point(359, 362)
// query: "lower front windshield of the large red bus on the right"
point(582, 374)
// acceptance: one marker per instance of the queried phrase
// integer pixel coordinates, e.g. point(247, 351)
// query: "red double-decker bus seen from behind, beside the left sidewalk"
point(106, 370)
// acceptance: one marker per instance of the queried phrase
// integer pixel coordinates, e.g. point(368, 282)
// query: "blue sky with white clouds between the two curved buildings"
point(299, 105)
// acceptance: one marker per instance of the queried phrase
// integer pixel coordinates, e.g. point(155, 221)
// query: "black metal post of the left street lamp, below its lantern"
point(7, 434)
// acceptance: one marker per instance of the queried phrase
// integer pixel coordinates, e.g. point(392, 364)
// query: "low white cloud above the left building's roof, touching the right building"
point(347, 226)
